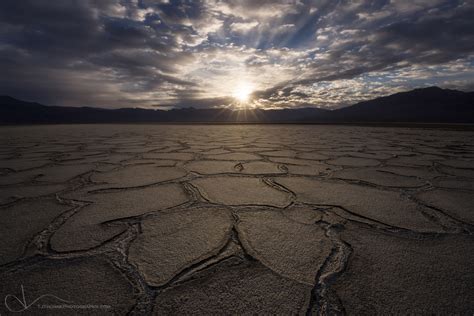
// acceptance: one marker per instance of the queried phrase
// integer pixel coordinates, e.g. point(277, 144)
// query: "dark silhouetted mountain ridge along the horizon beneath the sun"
point(425, 105)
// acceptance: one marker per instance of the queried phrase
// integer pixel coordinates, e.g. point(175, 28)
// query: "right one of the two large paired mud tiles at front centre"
point(291, 249)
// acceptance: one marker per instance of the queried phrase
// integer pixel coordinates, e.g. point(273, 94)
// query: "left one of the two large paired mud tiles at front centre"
point(174, 240)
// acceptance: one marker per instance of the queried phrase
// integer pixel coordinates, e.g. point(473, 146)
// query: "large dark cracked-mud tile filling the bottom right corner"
point(391, 275)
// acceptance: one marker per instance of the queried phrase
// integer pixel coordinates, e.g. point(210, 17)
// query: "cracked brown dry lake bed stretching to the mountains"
point(236, 219)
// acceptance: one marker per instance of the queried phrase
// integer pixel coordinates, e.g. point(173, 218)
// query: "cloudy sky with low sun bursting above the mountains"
point(236, 53)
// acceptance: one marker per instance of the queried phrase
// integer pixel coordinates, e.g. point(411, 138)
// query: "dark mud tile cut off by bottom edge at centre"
point(238, 288)
